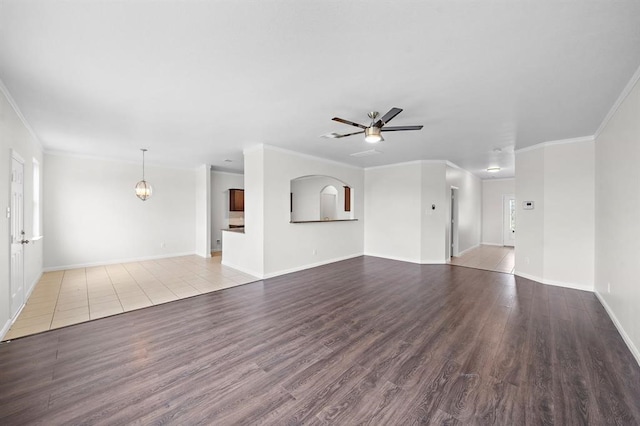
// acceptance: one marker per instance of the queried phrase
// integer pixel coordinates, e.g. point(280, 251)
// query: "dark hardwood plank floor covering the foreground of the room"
point(366, 340)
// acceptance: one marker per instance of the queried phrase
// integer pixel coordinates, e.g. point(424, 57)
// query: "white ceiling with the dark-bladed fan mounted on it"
point(198, 81)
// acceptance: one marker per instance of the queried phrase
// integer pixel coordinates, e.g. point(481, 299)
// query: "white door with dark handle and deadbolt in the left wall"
point(17, 235)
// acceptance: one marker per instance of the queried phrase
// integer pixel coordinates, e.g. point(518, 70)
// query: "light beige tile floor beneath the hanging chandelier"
point(73, 296)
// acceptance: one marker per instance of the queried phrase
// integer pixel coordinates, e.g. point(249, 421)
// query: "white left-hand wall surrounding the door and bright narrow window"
point(15, 135)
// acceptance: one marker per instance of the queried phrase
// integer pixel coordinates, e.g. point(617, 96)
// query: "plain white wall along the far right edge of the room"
point(617, 224)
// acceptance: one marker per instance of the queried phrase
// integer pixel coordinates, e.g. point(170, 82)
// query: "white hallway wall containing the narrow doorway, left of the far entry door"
point(469, 195)
